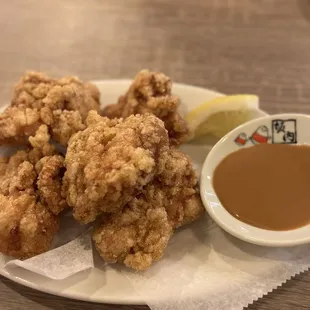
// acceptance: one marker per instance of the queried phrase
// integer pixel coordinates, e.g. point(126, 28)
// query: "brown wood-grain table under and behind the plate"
point(235, 46)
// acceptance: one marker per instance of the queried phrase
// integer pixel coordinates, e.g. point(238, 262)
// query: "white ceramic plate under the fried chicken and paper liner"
point(106, 284)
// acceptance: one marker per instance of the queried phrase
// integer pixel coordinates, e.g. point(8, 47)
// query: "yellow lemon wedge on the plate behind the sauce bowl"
point(220, 115)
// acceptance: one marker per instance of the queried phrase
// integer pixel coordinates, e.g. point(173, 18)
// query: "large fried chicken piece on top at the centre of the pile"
point(110, 162)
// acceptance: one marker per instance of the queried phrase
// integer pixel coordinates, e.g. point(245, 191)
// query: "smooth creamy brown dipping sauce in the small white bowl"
point(267, 185)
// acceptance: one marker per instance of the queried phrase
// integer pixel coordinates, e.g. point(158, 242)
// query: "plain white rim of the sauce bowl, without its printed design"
point(228, 222)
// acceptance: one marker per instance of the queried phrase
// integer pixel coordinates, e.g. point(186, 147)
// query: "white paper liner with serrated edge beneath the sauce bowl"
point(205, 268)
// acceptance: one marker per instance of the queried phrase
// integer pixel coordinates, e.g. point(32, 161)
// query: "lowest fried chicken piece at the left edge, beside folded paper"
point(27, 227)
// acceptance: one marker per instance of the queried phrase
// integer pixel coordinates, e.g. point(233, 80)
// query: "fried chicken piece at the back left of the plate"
point(61, 104)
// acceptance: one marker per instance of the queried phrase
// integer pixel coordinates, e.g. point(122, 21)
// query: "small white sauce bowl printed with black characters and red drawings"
point(281, 128)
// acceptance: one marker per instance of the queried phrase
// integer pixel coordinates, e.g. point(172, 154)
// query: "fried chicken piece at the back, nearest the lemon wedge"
point(151, 93)
